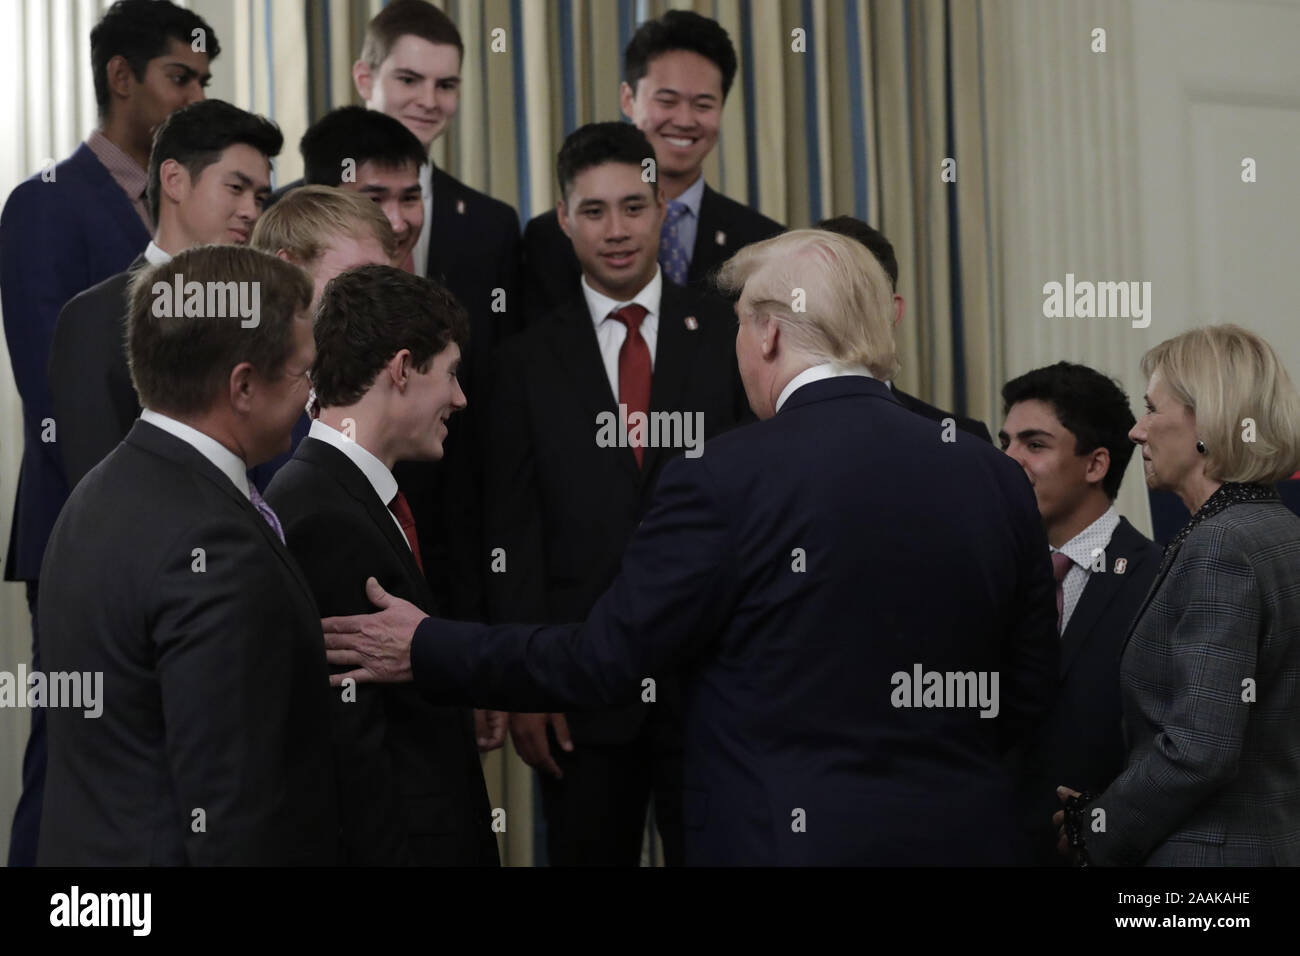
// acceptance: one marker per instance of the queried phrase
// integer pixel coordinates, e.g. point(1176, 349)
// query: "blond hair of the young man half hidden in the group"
point(307, 219)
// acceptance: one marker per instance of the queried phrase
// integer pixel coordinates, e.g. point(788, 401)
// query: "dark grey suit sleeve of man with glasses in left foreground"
point(224, 655)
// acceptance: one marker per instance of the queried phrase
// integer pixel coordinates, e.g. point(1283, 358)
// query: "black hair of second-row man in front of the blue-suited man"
point(198, 135)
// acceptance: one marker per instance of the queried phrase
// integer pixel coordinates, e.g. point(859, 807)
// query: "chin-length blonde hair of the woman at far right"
point(1247, 410)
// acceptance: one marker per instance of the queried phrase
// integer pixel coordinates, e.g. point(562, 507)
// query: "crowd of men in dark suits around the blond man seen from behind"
point(430, 309)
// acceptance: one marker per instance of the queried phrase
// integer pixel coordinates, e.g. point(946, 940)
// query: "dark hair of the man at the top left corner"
point(142, 31)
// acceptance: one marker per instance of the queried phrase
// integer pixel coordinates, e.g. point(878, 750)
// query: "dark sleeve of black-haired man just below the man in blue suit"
point(80, 383)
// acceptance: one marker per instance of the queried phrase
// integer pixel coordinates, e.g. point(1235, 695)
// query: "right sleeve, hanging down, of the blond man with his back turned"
point(1033, 650)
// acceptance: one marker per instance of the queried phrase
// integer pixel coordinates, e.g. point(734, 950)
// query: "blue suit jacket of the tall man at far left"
point(57, 239)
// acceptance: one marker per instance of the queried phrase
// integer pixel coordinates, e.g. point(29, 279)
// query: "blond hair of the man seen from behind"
point(830, 295)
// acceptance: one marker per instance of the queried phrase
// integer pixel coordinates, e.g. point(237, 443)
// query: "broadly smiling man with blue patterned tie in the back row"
point(677, 75)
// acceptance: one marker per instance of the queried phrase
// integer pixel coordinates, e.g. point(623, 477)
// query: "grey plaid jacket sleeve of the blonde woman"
point(1203, 732)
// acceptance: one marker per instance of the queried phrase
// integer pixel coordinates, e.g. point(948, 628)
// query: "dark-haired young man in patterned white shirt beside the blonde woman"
point(1068, 427)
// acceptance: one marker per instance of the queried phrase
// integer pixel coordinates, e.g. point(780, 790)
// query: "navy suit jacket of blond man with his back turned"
point(792, 577)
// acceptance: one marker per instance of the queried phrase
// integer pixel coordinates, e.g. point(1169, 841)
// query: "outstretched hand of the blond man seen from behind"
point(378, 646)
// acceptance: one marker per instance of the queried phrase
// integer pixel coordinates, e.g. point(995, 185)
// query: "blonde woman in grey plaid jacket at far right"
point(1211, 673)
